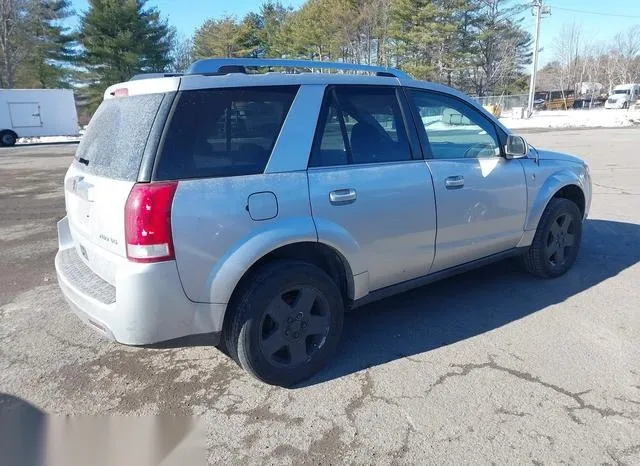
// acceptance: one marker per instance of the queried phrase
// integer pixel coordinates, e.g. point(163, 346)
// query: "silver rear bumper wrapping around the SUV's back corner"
point(147, 304)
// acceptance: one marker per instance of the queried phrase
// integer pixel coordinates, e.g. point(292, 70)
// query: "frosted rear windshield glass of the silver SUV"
point(116, 137)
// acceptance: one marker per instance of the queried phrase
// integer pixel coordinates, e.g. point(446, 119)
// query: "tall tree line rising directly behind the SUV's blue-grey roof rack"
point(479, 46)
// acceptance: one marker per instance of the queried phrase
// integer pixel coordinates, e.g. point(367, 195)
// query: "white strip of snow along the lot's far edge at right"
point(595, 118)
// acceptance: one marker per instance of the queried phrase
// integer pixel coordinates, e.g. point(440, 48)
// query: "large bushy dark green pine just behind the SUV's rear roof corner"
point(121, 38)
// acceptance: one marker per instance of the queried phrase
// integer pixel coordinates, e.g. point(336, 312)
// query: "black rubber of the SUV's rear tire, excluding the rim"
point(251, 311)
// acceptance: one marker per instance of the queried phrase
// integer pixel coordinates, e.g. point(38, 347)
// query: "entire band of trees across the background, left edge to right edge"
point(478, 46)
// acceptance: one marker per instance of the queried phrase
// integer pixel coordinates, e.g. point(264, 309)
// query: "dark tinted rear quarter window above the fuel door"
point(223, 132)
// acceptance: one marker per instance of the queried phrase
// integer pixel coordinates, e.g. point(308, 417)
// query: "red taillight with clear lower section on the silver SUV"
point(147, 222)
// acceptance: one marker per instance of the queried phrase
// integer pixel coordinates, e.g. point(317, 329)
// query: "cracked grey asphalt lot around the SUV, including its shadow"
point(492, 366)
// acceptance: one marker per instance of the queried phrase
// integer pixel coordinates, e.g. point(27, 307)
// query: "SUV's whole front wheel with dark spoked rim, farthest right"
point(556, 244)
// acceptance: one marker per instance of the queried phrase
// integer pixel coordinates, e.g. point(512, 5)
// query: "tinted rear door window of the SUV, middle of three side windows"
point(360, 125)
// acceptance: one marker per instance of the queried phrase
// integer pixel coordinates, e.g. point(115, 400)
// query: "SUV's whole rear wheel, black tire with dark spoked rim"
point(285, 322)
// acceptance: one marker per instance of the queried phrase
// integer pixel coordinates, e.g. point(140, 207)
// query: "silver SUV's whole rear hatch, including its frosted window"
point(104, 170)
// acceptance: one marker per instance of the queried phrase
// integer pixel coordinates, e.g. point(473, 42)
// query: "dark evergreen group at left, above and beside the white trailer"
point(115, 39)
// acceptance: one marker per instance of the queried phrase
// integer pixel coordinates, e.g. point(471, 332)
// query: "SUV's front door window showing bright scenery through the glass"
point(454, 129)
